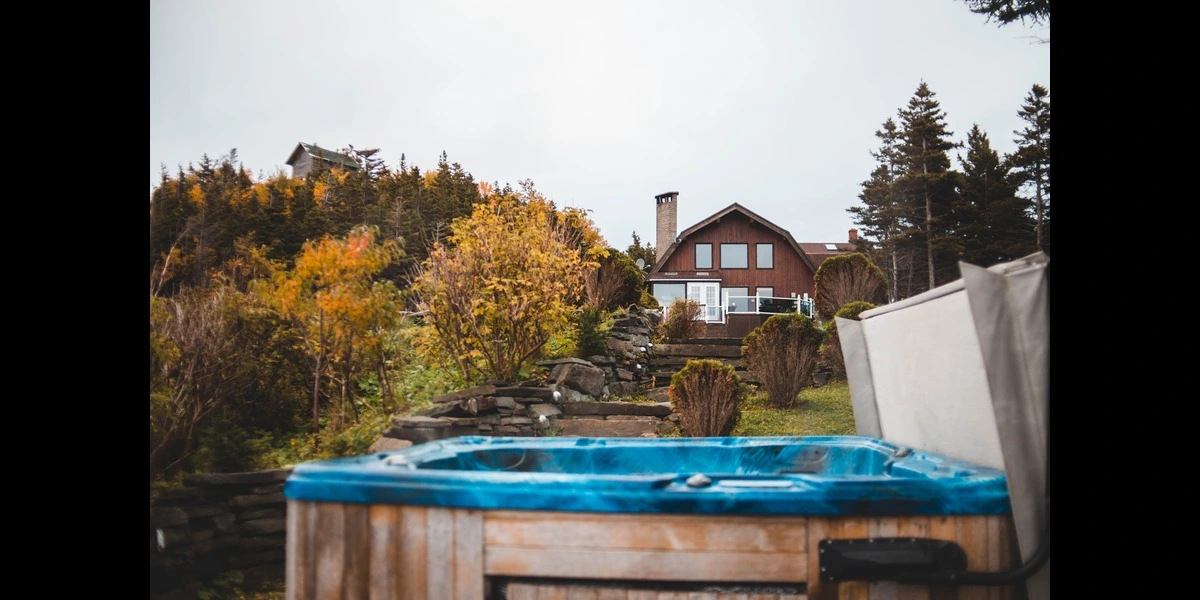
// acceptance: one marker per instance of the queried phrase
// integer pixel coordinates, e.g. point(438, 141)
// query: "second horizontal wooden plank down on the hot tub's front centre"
point(652, 566)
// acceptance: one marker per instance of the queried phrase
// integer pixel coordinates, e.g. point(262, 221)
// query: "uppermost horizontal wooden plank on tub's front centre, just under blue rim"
point(687, 533)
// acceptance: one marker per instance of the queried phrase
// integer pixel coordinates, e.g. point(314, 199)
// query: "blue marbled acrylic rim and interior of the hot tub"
point(814, 476)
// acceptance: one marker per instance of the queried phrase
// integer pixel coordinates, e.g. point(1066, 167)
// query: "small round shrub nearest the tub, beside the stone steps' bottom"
point(706, 395)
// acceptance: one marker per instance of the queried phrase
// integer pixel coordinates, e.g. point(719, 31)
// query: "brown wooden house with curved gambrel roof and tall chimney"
point(739, 266)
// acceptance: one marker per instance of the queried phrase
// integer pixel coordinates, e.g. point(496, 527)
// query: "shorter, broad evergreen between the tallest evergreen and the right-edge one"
point(997, 226)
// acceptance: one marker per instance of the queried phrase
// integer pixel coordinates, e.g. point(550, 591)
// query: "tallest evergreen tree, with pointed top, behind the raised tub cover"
point(929, 184)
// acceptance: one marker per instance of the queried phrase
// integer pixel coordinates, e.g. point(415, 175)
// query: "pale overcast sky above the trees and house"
point(772, 105)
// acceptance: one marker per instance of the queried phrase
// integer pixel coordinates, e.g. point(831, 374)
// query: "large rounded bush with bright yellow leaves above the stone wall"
point(508, 279)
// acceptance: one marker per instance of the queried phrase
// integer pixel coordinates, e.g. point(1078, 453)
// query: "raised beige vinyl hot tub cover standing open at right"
point(963, 371)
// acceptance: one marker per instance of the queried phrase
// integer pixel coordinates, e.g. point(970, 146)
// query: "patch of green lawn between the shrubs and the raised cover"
point(819, 412)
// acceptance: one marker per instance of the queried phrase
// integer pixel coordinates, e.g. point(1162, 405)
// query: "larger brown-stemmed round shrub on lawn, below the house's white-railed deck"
point(783, 352)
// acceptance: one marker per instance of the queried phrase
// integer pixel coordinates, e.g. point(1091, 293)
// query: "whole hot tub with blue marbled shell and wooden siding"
point(478, 518)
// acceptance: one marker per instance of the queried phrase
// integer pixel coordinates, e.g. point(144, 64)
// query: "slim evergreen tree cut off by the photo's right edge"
point(1031, 161)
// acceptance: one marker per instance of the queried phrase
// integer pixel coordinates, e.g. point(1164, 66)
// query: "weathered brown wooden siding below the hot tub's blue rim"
point(358, 551)
